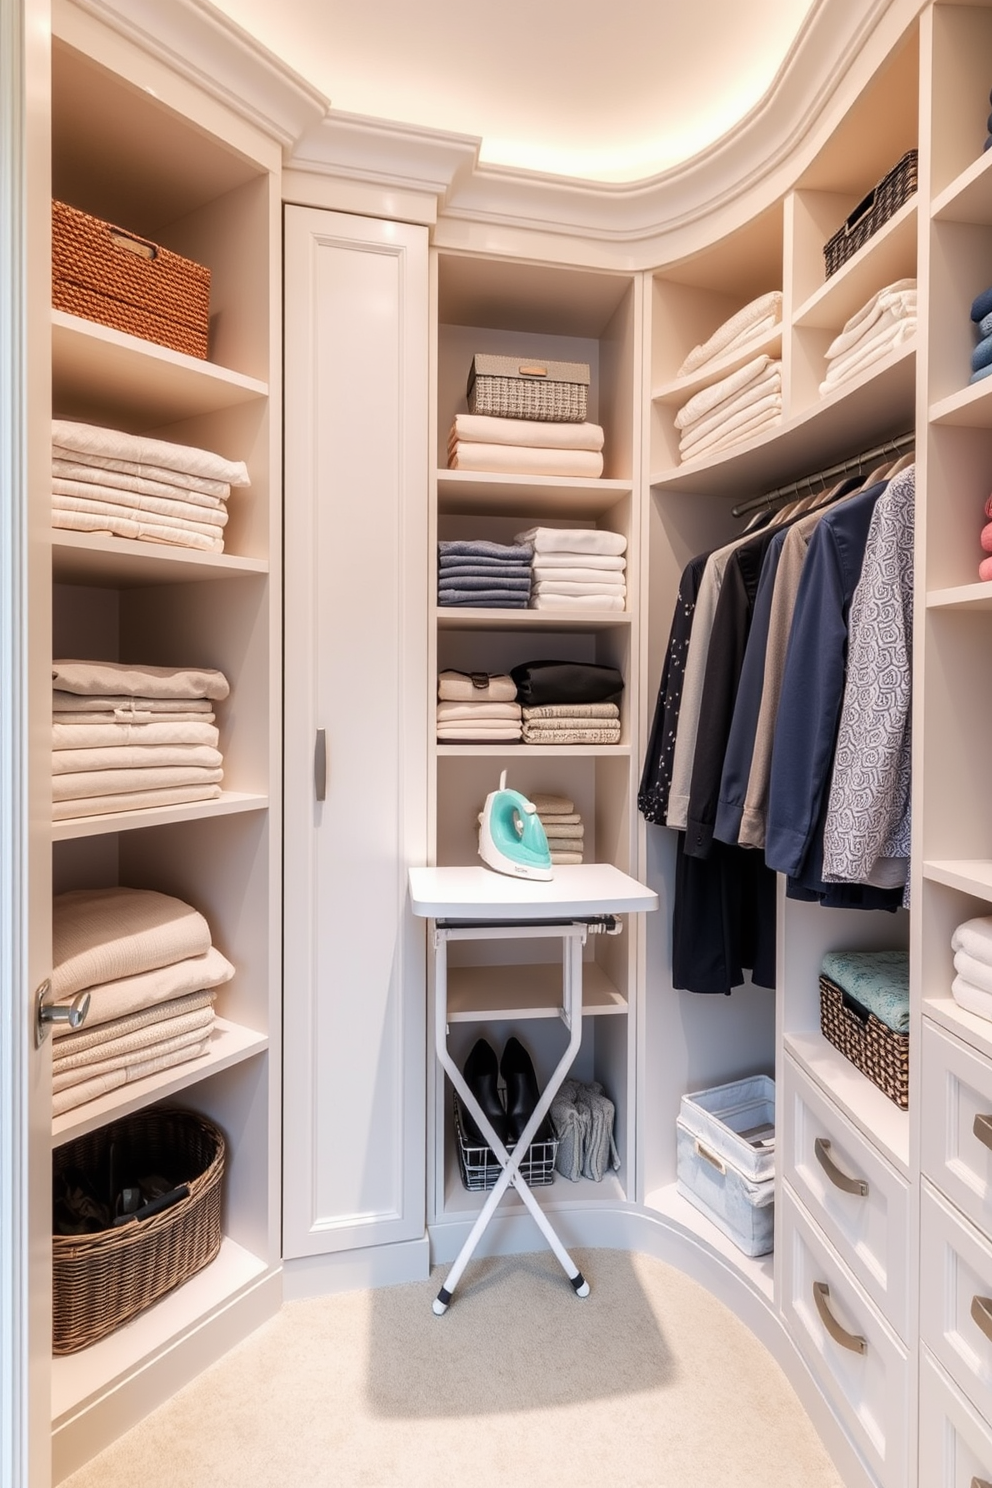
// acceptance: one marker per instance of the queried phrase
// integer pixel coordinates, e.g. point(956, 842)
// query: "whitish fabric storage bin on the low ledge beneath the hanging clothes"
point(727, 1160)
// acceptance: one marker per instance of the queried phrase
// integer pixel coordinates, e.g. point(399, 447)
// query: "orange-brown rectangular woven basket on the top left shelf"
point(111, 276)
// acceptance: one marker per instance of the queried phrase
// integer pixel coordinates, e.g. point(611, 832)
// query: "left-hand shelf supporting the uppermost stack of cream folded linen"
point(118, 563)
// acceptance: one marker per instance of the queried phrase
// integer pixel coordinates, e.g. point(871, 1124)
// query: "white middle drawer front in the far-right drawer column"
point(956, 1309)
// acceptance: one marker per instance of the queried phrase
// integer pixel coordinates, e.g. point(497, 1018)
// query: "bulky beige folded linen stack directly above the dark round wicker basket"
point(151, 969)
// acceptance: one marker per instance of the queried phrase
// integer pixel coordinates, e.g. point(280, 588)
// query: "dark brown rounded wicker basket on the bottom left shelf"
point(103, 1280)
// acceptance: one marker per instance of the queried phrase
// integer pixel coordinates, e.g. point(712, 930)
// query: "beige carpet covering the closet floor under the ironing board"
point(649, 1383)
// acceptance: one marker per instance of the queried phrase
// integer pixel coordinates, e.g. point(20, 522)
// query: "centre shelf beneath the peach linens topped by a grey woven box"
point(469, 493)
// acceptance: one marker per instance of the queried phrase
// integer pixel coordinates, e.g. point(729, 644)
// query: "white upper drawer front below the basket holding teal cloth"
point(859, 1202)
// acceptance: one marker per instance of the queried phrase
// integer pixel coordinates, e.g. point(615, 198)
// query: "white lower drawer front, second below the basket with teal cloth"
point(854, 1356)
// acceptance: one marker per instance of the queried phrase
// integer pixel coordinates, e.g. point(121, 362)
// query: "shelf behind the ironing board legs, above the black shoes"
point(509, 993)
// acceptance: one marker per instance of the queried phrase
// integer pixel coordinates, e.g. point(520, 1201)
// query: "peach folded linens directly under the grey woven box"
point(524, 447)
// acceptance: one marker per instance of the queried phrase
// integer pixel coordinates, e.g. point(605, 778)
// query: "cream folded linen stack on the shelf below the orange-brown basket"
point(108, 481)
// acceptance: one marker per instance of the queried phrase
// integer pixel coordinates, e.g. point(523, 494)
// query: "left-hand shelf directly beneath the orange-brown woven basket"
point(148, 386)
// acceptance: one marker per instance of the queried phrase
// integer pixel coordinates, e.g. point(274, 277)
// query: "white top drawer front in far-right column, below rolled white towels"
point(957, 1123)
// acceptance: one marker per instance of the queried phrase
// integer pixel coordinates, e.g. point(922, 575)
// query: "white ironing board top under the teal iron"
point(481, 894)
